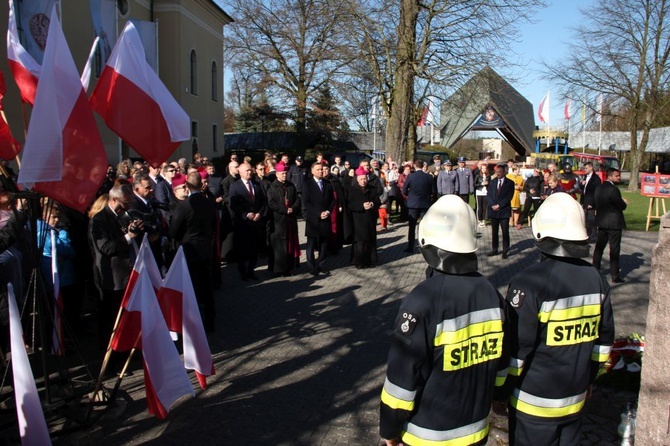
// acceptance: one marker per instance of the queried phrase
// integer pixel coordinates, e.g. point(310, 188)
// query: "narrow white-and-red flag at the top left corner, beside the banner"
point(24, 67)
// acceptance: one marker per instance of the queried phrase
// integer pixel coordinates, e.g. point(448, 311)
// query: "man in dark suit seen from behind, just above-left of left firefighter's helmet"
point(419, 189)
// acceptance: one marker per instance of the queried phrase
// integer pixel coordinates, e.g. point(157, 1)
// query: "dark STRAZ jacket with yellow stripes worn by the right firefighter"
point(561, 329)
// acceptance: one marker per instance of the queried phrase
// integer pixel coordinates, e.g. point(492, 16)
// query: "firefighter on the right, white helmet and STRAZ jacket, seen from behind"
point(560, 330)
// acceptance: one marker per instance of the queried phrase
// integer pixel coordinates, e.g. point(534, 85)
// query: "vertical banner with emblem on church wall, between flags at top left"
point(32, 17)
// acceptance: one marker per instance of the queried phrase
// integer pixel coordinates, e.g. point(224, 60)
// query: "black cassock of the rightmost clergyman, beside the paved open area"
point(365, 224)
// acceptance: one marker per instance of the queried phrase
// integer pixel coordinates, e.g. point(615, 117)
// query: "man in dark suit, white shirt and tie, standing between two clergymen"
point(318, 199)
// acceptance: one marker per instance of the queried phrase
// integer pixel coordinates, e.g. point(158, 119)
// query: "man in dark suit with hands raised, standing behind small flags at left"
point(111, 244)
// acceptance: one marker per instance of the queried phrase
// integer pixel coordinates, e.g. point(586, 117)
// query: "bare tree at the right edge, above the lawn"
point(622, 51)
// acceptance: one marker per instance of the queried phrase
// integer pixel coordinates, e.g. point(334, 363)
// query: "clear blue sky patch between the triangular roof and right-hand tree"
point(547, 40)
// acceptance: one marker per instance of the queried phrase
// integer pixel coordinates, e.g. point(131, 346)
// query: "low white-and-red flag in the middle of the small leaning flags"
point(164, 376)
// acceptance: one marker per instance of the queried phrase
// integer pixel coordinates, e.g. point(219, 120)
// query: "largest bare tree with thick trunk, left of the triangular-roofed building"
point(416, 46)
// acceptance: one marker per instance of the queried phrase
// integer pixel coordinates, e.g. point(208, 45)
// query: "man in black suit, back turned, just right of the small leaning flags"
point(193, 227)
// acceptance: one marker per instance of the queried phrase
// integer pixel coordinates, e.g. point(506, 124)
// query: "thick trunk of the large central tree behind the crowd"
point(400, 117)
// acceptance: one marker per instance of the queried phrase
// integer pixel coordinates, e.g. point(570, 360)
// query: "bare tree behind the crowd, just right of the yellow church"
point(296, 46)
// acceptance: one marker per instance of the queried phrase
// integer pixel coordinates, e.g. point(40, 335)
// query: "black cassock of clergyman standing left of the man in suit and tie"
point(284, 227)
